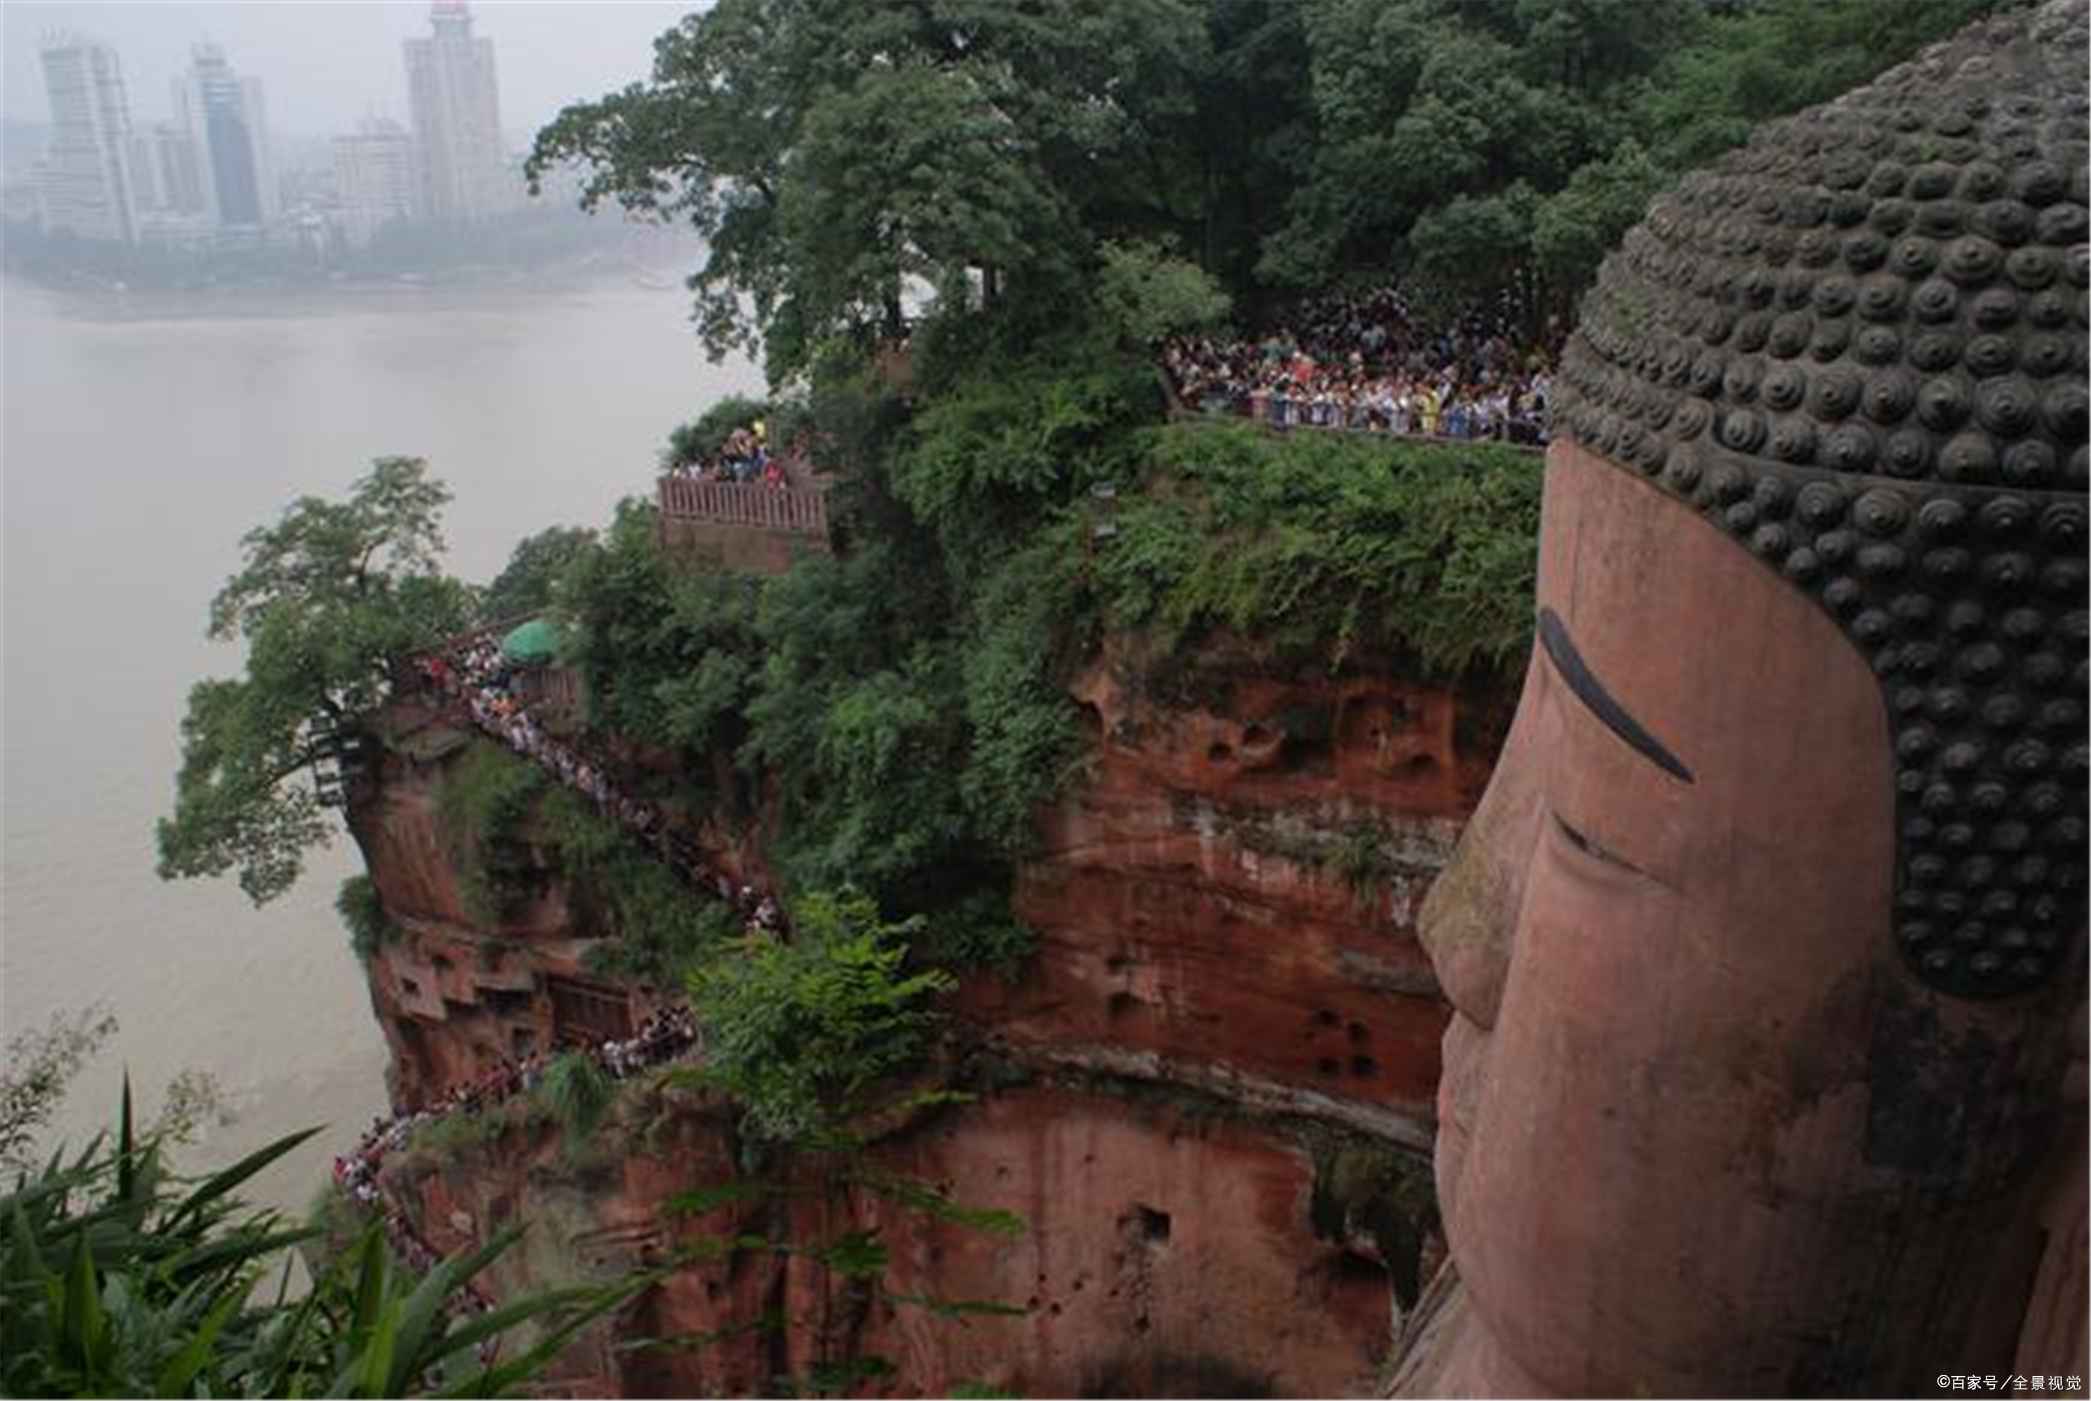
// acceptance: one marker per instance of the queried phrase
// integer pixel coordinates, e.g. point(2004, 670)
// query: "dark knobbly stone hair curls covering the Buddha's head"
point(1858, 346)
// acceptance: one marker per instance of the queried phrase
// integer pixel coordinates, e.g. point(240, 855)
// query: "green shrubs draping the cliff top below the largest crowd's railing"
point(1329, 545)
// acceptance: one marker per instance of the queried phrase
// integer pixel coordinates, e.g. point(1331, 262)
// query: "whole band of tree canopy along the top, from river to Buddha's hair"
point(837, 158)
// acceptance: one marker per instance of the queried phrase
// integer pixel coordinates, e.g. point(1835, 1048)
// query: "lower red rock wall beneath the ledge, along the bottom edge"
point(1170, 1247)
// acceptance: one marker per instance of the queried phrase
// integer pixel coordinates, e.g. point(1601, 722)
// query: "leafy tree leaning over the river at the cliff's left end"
point(327, 601)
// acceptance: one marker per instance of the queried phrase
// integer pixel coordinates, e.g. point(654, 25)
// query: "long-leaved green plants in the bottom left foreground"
point(120, 1281)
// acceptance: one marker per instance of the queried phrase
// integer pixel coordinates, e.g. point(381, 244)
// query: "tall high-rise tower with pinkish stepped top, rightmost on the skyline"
point(457, 118)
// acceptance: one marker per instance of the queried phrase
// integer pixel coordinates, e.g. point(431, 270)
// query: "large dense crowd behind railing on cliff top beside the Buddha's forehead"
point(1371, 363)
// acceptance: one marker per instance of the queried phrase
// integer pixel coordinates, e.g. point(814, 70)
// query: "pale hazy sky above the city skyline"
point(327, 66)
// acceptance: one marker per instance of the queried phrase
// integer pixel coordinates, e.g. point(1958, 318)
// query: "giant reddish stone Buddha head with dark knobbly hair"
point(1766, 938)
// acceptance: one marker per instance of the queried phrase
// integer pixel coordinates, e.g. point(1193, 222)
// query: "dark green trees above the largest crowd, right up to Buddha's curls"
point(1435, 127)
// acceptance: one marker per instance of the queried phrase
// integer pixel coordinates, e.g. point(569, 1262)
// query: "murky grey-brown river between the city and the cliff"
point(141, 440)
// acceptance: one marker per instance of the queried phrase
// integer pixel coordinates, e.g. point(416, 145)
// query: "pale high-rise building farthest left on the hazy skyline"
point(87, 179)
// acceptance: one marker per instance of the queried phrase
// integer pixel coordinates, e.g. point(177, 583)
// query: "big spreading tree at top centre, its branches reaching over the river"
point(833, 156)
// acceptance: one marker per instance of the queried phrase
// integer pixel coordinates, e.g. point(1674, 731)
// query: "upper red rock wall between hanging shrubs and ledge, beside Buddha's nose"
point(1233, 896)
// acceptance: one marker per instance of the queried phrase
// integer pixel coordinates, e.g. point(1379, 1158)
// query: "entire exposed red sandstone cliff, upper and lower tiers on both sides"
point(1210, 1097)
